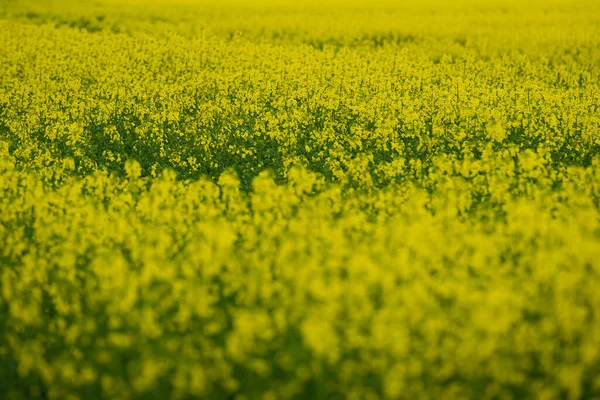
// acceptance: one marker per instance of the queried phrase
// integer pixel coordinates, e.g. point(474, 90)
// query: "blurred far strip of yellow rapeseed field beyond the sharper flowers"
point(483, 26)
